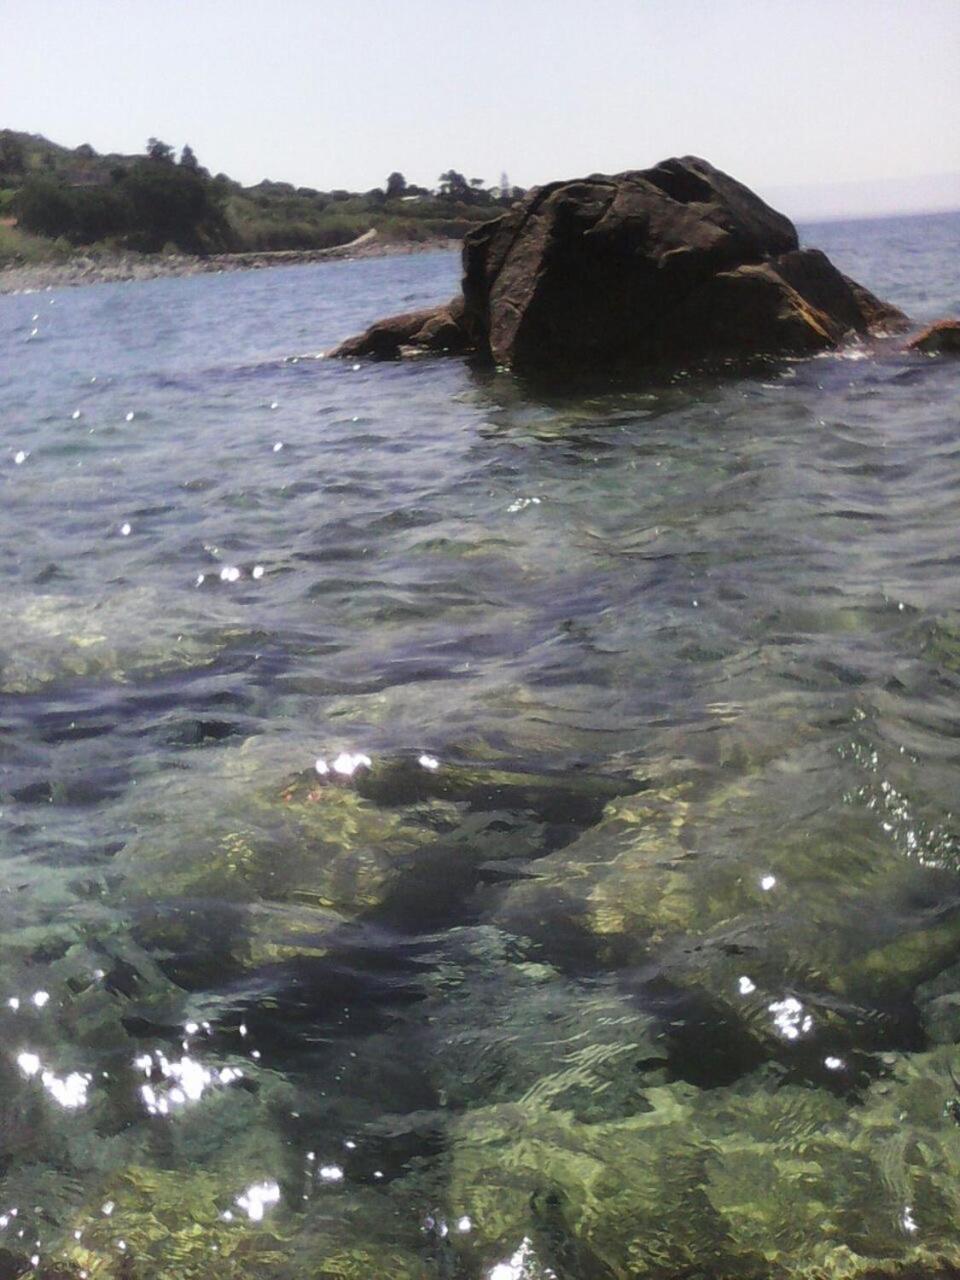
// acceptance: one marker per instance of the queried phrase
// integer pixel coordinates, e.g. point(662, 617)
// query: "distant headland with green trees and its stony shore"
point(75, 216)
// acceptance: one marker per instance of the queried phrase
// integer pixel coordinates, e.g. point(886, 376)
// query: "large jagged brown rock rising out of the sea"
point(670, 263)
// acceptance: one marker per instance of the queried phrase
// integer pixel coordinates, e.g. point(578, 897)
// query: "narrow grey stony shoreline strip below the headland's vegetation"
point(90, 269)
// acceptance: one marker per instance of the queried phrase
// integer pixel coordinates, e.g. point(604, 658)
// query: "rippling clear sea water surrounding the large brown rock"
point(454, 828)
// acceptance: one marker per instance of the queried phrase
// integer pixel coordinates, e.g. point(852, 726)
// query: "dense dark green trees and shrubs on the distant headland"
point(54, 200)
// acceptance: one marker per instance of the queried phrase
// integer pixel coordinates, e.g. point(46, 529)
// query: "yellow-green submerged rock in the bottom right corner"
point(760, 1181)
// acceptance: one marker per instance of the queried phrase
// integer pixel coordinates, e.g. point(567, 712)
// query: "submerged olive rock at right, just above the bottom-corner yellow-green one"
point(807, 958)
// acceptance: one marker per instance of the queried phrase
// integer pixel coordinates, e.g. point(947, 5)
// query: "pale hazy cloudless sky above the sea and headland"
point(783, 94)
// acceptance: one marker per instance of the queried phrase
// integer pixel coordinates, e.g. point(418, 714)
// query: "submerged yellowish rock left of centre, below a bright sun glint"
point(232, 874)
